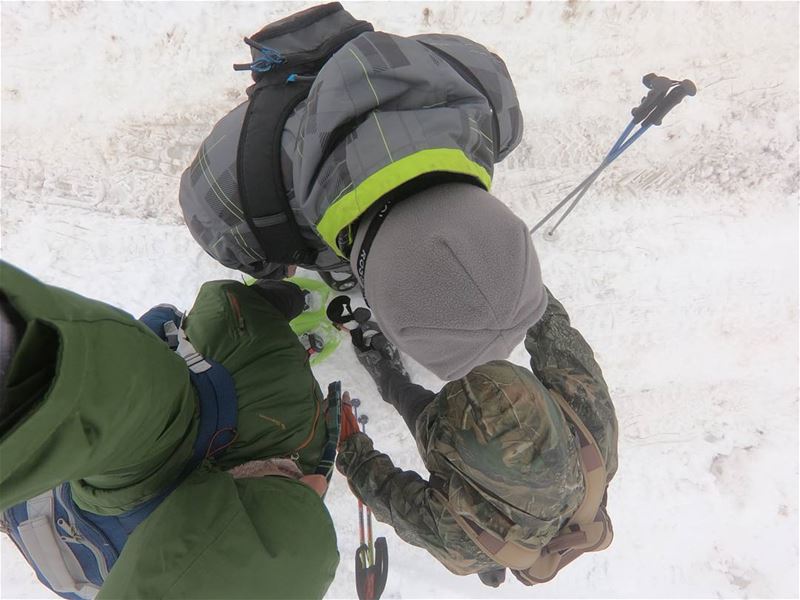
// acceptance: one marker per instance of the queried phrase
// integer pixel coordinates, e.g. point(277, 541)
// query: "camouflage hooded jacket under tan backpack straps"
point(522, 488)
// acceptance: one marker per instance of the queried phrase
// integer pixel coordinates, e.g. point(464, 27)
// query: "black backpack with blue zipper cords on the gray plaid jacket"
point(287, 55)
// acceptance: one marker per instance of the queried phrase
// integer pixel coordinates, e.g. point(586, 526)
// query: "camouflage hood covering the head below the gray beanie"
point(505, 452)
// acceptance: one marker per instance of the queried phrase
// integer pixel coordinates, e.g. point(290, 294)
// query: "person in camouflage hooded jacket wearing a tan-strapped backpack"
point(519, 461)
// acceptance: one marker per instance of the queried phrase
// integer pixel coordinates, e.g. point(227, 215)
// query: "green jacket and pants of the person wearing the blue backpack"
point(93, 397)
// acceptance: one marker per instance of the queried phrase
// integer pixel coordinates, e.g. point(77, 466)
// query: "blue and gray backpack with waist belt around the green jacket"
point(71, 550)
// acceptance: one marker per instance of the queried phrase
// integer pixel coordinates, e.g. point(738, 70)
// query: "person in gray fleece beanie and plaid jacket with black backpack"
point(415, 124)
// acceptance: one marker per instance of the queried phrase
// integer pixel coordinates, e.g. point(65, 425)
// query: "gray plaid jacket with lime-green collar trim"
point(383, 111)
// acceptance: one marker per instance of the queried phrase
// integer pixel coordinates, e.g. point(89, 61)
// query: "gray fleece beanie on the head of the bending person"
point(452, 278)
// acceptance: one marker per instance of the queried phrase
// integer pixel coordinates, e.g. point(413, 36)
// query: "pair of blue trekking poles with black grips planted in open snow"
point(664, 95)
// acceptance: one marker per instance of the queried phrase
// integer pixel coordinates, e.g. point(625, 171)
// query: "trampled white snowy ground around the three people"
point(680, 267)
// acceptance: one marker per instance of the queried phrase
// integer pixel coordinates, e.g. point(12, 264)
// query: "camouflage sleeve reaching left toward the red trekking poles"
point(399, 498)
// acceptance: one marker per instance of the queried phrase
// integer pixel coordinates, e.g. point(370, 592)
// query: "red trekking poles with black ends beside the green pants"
point(372, 559)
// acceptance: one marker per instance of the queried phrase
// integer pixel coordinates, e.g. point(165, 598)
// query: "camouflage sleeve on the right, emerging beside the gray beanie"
point(563, 361)
